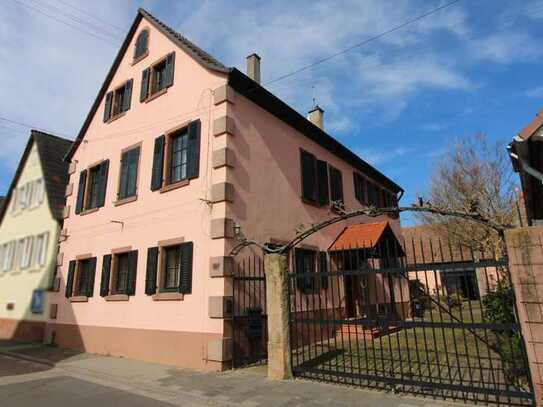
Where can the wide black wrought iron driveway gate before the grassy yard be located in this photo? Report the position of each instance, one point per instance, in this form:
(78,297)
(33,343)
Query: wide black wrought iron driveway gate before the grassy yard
(442,323)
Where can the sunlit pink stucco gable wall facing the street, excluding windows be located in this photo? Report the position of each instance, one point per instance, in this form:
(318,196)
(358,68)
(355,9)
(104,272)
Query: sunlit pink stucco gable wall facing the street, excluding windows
(153,216)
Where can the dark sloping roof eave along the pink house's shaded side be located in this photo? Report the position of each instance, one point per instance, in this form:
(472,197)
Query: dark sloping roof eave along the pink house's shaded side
(271,103)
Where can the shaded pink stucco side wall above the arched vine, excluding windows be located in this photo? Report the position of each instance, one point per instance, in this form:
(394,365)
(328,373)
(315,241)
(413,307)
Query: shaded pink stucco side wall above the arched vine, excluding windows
(267,179)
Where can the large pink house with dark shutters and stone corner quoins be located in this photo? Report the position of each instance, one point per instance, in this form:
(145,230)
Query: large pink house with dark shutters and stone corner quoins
(177,153)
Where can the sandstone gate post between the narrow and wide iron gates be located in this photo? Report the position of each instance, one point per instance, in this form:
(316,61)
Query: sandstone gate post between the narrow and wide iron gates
(277,304)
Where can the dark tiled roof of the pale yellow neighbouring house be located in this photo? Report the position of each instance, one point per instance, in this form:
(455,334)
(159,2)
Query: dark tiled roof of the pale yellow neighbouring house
(51,151)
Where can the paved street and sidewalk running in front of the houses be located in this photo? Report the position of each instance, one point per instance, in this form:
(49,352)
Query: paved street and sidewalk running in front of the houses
(53,377)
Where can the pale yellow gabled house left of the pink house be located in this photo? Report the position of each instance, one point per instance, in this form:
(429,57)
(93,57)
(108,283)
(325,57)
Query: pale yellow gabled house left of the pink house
(30,224)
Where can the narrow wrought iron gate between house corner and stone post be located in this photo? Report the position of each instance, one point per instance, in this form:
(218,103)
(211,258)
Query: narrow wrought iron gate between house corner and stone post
(249,319)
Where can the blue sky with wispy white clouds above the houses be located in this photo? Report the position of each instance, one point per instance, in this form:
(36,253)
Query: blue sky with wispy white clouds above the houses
(399,102)
